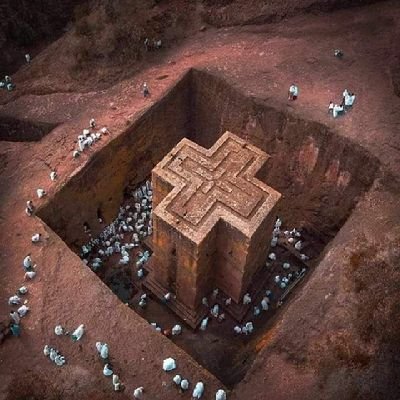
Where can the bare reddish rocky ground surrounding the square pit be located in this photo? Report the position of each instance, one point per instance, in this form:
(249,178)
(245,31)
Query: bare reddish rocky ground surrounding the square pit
(337,337)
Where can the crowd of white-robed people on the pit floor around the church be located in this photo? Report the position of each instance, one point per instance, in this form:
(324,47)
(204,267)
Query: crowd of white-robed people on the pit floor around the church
(133,224)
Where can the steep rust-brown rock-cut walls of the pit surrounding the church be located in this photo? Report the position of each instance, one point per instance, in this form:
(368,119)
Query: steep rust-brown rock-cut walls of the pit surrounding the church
(320,174)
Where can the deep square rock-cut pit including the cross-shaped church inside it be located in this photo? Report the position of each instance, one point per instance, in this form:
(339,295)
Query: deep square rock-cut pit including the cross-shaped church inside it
(306,176)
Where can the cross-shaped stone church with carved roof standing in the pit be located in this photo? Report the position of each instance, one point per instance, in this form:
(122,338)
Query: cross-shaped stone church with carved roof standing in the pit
(212,218)
